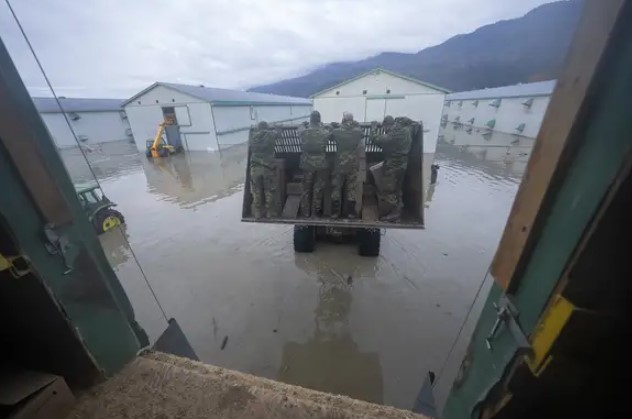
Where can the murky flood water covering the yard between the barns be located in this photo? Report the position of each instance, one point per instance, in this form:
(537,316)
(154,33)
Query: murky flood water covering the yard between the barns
(334,321)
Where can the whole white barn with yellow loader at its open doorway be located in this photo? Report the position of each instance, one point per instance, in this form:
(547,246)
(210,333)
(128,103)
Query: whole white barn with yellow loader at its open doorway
(208,118)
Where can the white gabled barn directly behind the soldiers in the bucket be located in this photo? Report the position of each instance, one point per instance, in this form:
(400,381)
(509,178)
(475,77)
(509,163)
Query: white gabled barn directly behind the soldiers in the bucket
(378,93)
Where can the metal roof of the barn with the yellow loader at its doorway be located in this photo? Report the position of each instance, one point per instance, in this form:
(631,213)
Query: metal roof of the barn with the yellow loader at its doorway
(225,96)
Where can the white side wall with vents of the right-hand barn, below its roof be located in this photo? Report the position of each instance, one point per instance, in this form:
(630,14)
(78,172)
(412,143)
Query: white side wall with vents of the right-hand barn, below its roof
(509,115)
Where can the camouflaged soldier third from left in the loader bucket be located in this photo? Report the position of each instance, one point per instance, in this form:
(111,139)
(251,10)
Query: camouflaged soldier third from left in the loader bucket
(347,137)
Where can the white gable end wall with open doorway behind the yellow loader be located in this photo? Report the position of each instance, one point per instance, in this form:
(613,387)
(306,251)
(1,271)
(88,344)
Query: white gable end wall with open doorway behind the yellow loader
(198,133)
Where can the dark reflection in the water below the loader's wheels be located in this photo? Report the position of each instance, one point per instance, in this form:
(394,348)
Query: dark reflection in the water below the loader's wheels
(331,360)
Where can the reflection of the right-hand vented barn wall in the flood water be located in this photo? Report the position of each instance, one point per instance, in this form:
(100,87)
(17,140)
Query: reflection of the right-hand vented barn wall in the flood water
(507,151)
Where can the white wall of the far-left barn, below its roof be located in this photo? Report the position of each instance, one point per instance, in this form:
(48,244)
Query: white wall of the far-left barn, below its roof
(91,127)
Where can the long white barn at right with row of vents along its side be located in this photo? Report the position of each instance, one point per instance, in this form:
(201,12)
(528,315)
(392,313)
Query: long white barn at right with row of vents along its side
(516,109)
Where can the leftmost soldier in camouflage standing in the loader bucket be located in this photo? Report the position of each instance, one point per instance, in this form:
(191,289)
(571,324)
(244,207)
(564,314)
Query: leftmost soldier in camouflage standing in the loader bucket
(263,182)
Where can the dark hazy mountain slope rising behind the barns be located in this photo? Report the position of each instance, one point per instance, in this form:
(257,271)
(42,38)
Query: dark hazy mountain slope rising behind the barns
(526,49)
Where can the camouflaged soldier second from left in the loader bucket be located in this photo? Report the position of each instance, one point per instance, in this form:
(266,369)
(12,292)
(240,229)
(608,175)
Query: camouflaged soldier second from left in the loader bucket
(314,139)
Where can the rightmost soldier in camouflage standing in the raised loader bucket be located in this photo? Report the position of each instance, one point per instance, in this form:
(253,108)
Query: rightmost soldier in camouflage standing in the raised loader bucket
(395,144)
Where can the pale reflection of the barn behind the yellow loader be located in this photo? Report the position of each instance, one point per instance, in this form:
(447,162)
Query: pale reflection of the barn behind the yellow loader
(195,178)
